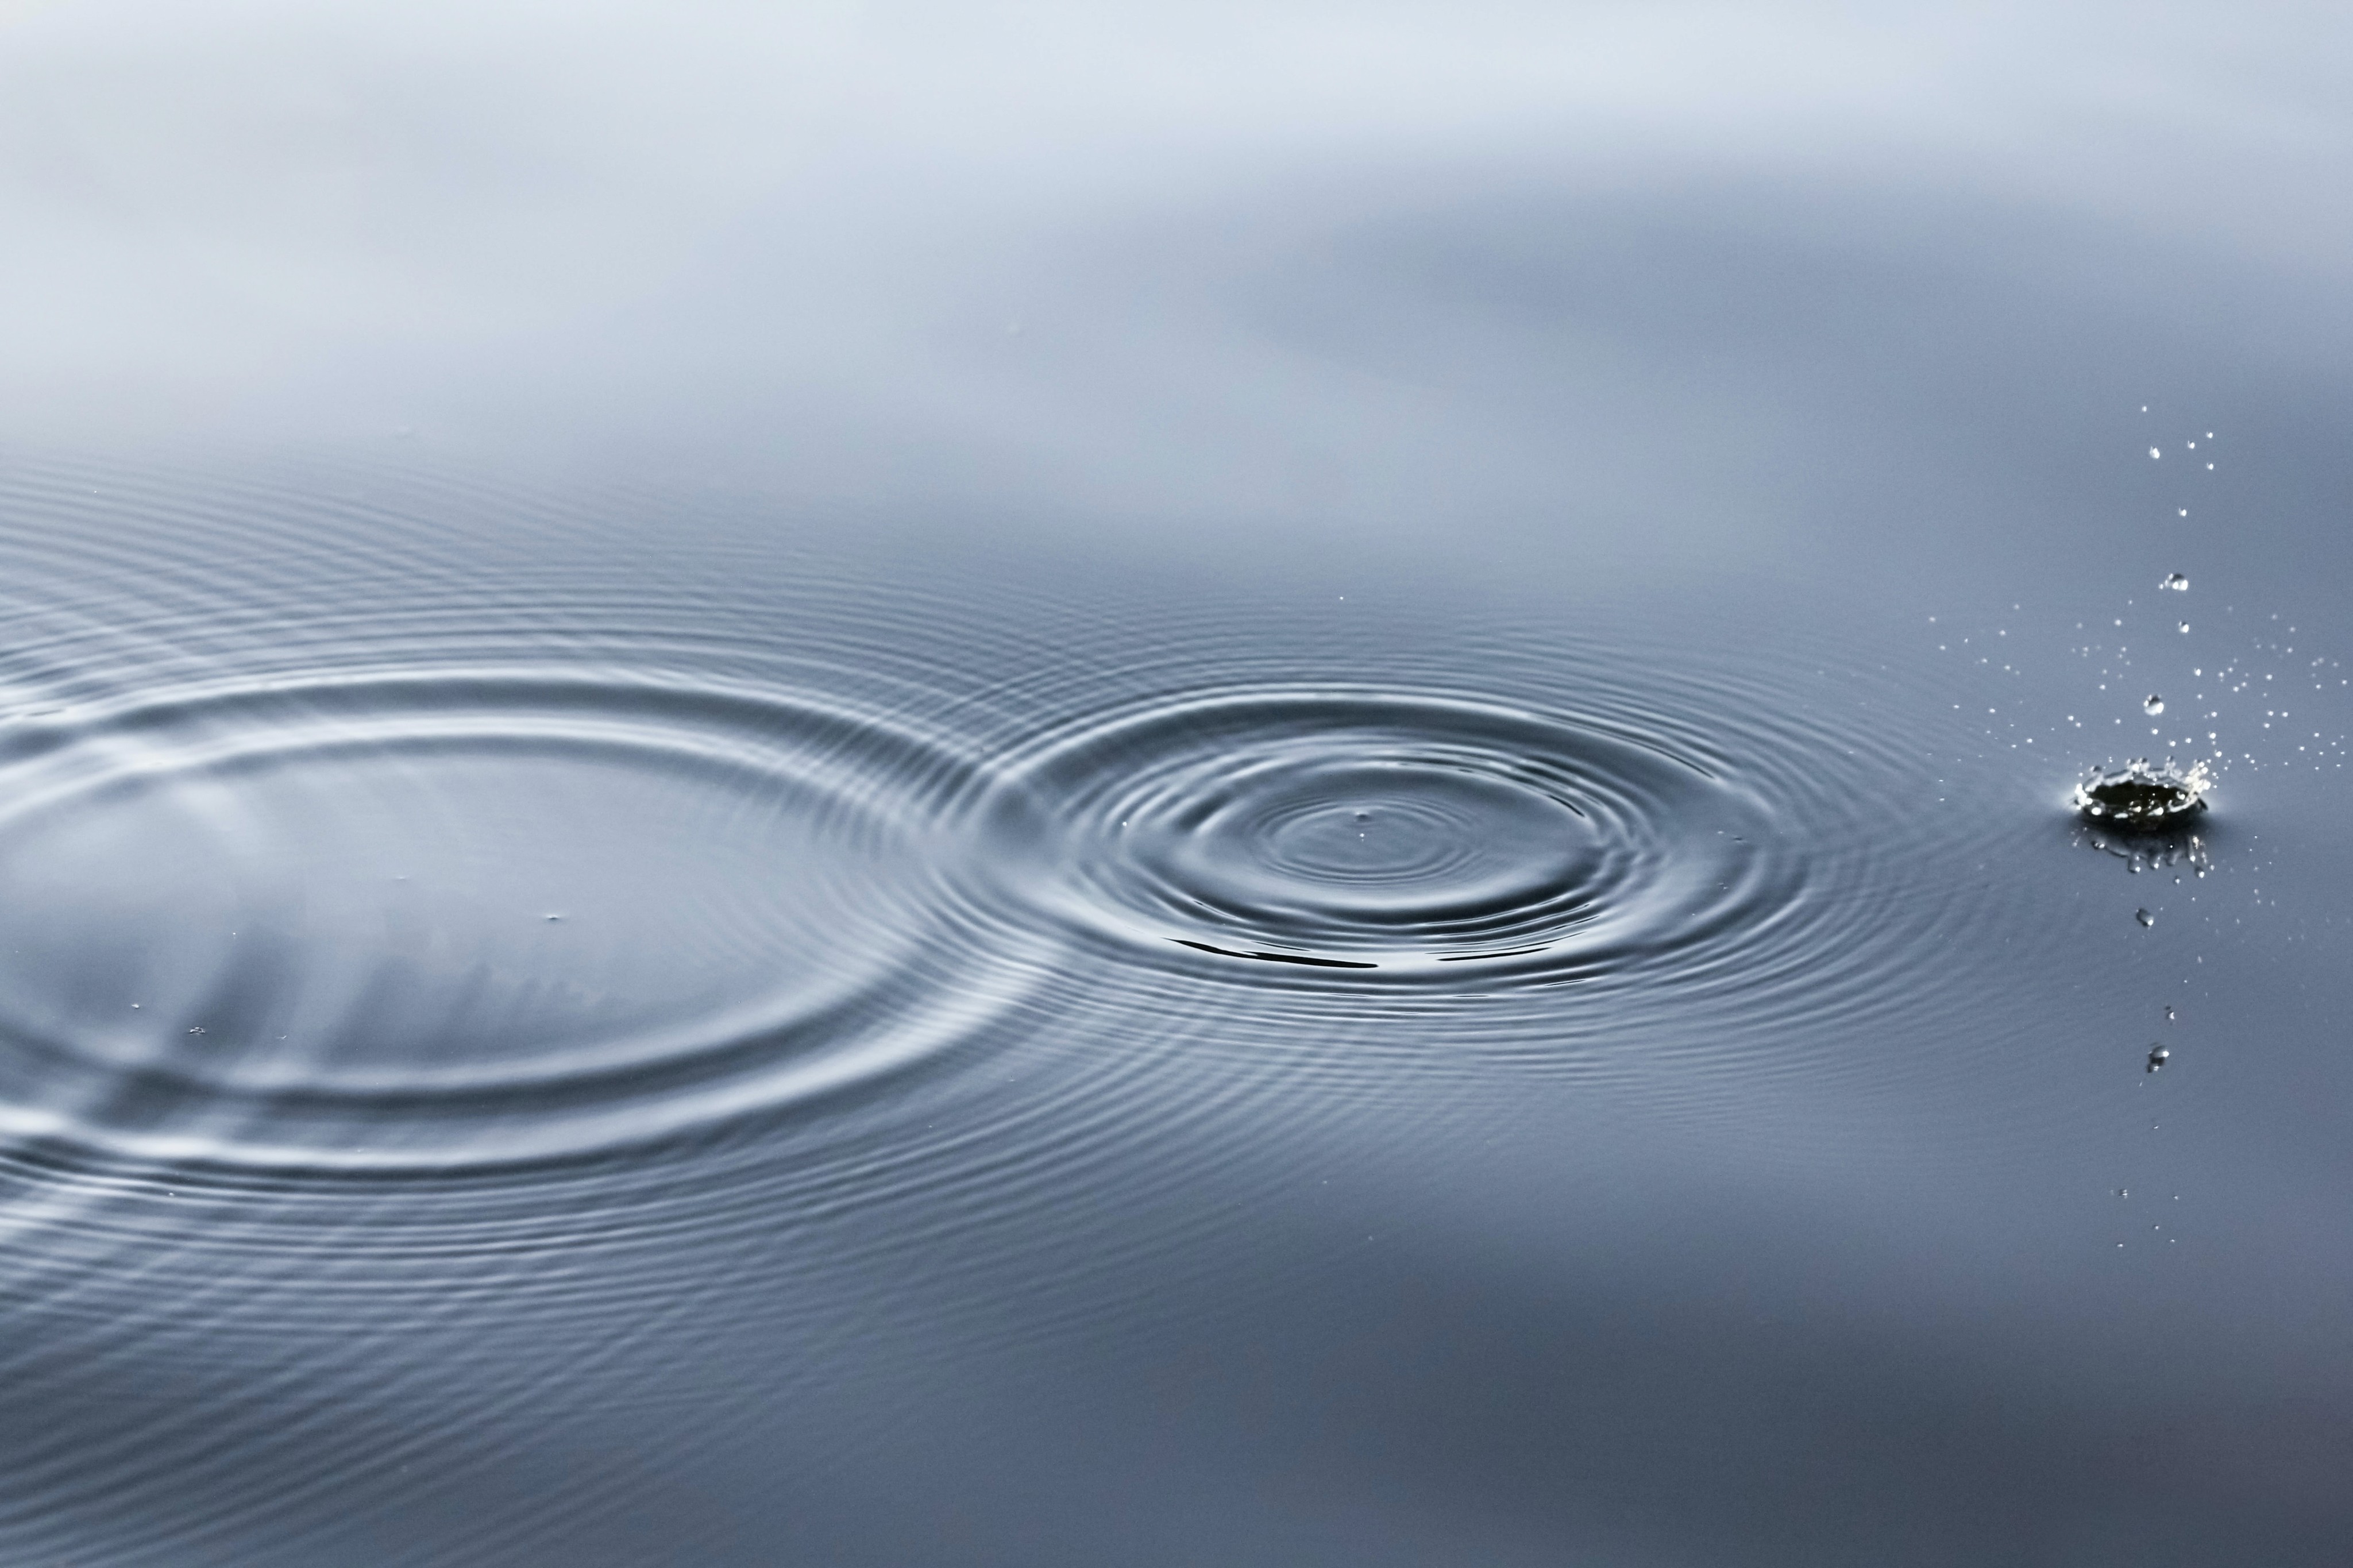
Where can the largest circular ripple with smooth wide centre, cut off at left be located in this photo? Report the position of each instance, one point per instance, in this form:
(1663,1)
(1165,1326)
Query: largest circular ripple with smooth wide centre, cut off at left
(429,920)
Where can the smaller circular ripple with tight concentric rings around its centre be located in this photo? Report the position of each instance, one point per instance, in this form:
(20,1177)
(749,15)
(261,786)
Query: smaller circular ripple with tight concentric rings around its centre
(1385,838)
